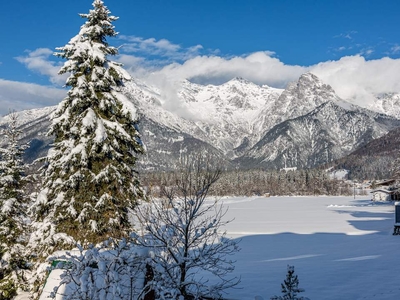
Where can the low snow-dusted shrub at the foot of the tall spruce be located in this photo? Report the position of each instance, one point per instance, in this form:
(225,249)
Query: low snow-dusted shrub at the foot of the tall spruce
(111,271)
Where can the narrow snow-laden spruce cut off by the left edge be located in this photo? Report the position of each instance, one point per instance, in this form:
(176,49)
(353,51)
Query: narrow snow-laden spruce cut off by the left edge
(13,207)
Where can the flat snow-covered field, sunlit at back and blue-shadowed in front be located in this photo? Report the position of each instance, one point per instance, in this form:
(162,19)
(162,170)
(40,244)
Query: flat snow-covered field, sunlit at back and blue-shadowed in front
(342,248)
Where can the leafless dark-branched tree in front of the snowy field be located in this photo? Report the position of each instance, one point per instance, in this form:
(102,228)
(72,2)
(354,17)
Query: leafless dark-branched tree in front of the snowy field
(190,256)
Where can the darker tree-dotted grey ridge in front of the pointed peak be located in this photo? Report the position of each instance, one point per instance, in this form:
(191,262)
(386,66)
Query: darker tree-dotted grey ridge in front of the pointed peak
(326,133)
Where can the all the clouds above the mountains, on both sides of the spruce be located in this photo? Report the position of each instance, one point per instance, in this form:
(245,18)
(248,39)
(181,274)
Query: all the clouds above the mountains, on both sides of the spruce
(353,77)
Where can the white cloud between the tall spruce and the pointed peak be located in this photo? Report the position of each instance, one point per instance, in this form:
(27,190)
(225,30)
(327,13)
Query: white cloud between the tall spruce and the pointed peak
(259,67)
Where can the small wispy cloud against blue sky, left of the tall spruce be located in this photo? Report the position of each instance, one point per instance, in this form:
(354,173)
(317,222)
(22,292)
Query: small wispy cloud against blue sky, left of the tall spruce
(39,61)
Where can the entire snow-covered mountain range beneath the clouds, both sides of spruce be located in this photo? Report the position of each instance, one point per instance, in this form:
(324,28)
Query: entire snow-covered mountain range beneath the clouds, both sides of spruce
(302,126)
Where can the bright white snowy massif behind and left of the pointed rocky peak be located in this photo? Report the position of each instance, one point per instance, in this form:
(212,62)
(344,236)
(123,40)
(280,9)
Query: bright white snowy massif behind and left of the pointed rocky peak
(220,115)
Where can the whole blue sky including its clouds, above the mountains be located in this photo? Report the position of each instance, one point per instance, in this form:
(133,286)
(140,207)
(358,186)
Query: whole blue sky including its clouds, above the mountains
(206,41)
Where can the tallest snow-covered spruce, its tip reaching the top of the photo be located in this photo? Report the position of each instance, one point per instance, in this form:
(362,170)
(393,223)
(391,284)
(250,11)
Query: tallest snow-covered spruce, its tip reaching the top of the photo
(90,185)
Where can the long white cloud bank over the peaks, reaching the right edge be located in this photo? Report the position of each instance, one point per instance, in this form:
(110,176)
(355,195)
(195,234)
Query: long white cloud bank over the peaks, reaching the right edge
(353,77)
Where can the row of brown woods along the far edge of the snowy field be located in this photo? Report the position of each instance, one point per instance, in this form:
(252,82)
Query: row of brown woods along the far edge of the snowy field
(260,182)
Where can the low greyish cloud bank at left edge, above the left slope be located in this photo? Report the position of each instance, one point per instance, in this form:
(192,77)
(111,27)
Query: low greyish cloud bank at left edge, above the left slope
(20,96)
